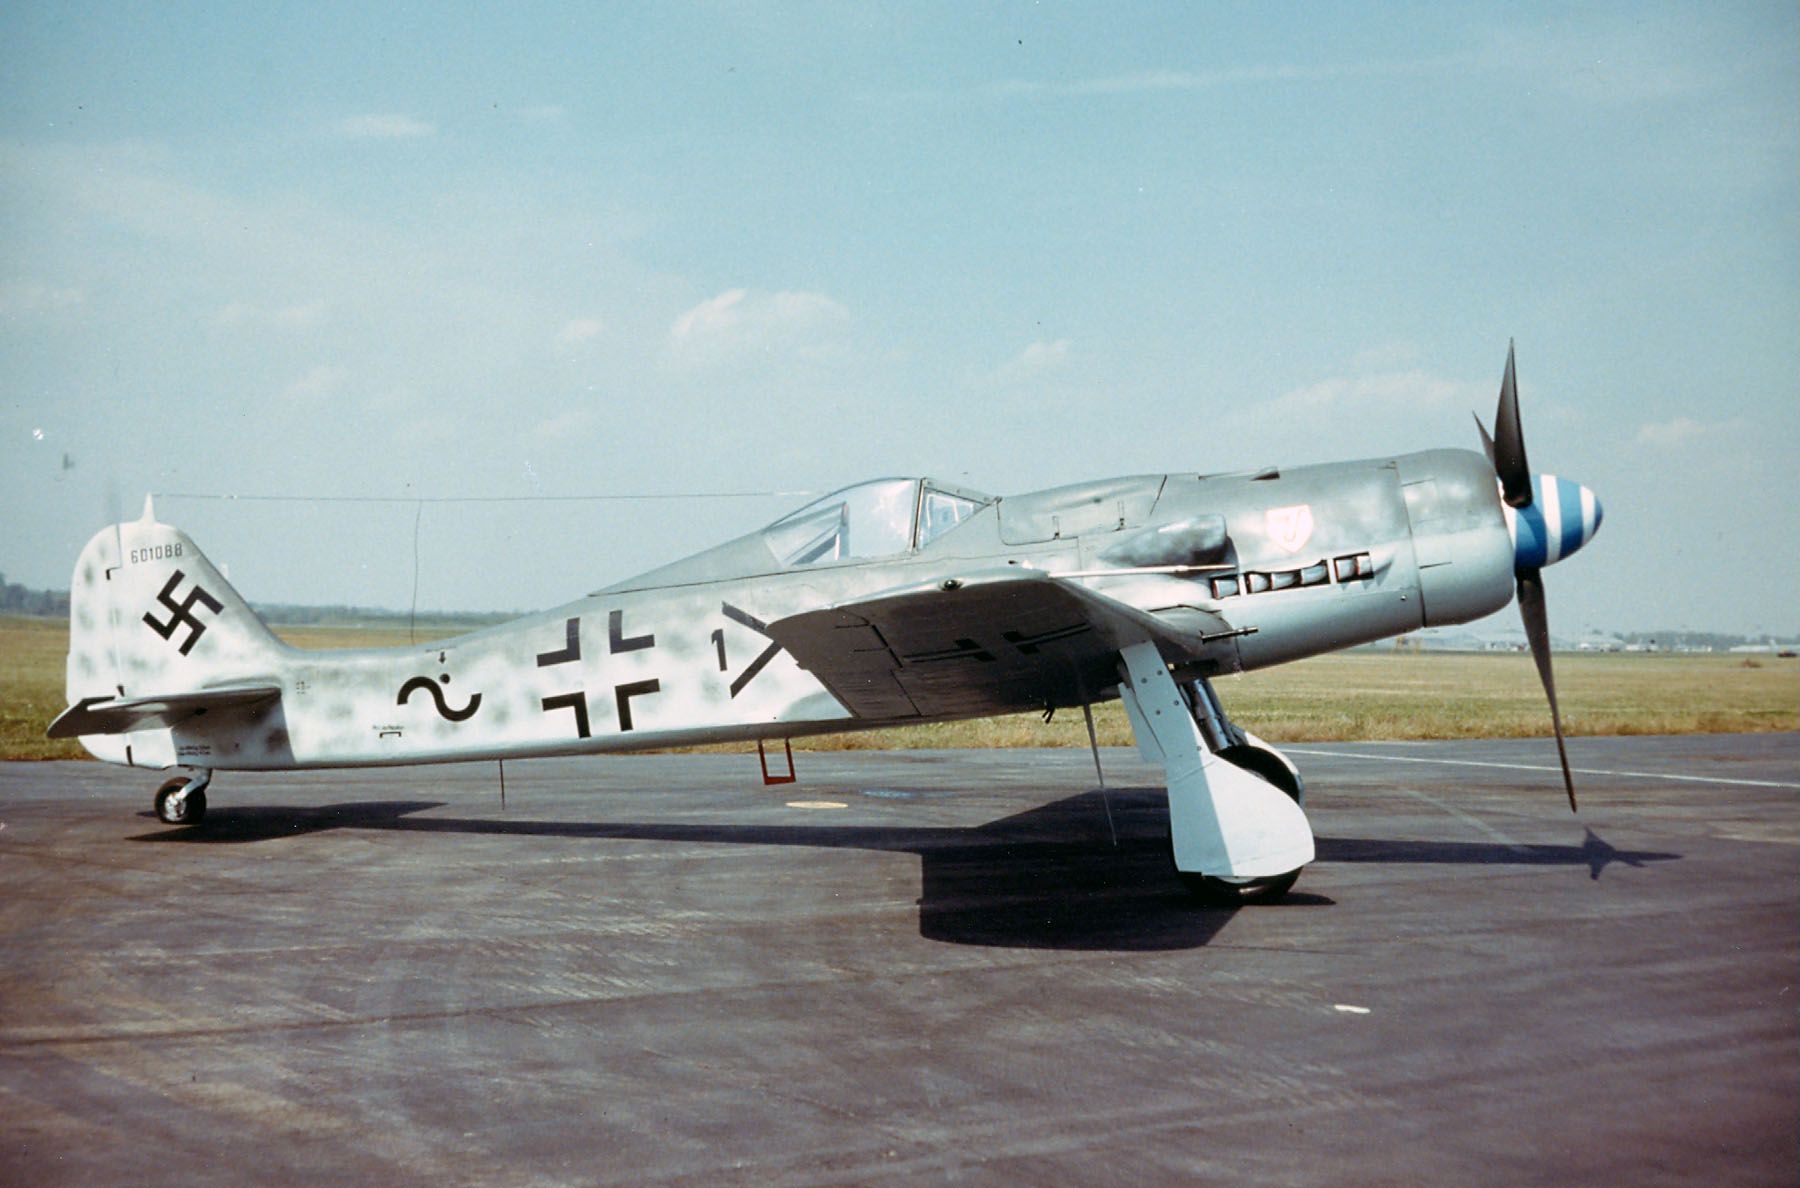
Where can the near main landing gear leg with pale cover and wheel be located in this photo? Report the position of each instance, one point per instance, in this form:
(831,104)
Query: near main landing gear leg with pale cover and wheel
(1237,832)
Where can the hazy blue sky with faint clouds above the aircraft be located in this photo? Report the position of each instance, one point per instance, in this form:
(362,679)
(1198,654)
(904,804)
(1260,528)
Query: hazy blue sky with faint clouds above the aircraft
(582,251)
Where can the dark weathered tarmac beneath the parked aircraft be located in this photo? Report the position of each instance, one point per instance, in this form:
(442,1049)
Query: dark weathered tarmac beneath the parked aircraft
(908,967)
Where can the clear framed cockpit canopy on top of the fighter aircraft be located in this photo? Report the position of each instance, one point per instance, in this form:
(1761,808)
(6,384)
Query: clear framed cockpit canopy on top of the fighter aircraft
(883,517)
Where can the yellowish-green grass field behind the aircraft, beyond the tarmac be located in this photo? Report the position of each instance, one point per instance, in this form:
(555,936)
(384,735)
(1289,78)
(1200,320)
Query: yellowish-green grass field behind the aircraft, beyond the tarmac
(1351,696)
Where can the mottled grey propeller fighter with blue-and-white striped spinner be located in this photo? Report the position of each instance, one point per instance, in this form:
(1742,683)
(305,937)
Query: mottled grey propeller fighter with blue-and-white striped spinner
(886,604)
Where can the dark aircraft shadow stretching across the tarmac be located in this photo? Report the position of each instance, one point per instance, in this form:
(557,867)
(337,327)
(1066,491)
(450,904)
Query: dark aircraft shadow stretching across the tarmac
(1086,874)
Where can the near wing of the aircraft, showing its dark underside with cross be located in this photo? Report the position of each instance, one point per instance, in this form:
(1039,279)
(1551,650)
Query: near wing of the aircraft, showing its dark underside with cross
(989,643)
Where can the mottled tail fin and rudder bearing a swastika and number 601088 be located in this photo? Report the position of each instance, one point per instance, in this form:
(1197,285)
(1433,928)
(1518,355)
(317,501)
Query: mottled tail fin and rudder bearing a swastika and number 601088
(152,618)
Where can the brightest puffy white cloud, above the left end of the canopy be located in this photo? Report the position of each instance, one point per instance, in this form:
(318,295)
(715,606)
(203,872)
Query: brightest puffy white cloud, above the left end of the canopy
(741,323)
